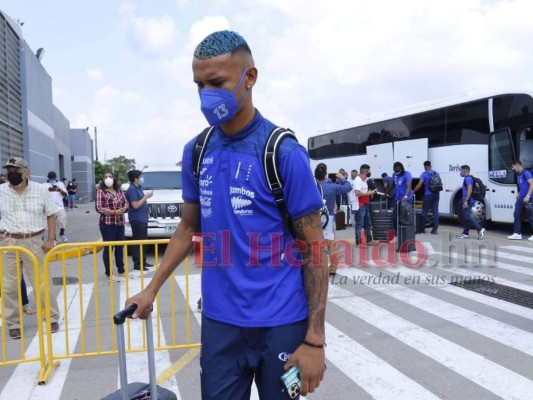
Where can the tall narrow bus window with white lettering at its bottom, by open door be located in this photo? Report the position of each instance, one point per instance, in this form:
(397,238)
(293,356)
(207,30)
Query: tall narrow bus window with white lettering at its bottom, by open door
(501,156)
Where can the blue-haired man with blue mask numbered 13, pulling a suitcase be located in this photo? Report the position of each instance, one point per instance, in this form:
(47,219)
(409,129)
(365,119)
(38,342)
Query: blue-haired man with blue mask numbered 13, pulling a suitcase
(263,302)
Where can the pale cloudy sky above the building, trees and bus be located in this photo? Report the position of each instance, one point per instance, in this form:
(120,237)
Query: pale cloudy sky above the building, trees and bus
(125,66)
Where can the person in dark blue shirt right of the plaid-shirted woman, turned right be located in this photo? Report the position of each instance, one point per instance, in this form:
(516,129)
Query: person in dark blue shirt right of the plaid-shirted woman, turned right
(138,217)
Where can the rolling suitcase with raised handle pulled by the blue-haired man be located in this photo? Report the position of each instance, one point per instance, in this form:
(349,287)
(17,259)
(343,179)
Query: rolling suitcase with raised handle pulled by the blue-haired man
(137,390)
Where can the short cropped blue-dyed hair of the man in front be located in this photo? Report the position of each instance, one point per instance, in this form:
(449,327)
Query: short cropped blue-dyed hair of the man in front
(219,43)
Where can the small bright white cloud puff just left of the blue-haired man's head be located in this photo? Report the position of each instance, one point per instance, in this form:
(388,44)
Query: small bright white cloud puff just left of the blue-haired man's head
(150,34)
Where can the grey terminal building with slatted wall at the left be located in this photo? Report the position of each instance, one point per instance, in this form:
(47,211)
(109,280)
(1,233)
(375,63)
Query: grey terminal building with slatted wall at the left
(31,126)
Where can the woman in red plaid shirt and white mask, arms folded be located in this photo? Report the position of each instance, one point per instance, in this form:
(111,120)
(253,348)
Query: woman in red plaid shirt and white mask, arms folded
(111,204)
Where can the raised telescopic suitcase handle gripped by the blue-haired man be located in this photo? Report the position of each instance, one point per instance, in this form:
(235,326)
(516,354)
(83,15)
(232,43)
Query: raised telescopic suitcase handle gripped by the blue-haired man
(119,319)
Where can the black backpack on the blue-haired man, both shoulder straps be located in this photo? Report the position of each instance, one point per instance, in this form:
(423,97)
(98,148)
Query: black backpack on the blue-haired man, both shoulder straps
(270,164)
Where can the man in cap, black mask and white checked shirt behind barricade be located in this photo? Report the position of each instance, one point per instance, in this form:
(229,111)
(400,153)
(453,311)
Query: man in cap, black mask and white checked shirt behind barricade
(27,209)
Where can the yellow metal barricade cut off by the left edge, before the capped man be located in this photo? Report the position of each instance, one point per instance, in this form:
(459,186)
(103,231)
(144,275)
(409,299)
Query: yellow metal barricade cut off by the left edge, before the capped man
(9,353)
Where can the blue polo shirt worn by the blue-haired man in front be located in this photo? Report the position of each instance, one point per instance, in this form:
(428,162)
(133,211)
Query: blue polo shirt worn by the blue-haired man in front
(250,278)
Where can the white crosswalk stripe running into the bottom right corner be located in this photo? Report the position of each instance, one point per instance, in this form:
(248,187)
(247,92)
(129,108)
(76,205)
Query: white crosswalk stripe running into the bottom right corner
(493,377)
